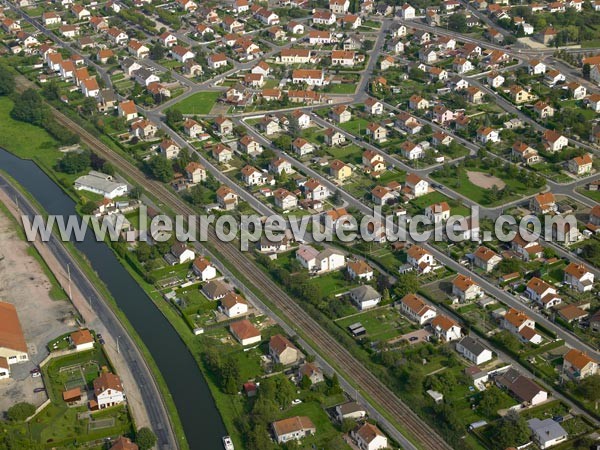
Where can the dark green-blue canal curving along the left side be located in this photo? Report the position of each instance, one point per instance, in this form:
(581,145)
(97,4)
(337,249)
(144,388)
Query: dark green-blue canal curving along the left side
(199,415)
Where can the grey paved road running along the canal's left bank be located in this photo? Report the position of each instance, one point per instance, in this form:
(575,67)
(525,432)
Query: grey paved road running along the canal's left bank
(151,395)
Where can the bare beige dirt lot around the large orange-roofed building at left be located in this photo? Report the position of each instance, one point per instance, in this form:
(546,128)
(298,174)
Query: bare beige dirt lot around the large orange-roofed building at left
(24,283)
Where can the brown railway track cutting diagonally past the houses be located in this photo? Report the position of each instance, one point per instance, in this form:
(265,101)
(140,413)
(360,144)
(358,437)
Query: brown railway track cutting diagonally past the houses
(335,352)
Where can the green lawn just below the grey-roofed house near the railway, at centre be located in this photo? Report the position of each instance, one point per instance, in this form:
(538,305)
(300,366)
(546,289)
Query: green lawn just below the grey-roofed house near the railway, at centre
(381,324)
